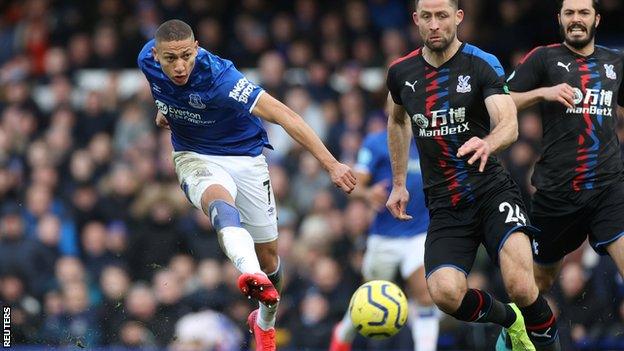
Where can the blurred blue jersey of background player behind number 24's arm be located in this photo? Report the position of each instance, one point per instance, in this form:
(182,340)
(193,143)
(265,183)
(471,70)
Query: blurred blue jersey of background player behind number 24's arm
(374,159)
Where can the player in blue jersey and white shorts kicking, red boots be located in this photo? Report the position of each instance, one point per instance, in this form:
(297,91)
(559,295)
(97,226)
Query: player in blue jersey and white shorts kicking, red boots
(214,113)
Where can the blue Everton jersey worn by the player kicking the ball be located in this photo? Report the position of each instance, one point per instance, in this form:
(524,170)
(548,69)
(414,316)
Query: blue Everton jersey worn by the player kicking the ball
(211,113)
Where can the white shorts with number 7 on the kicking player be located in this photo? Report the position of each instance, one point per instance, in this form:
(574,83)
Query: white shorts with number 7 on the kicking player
(246,178)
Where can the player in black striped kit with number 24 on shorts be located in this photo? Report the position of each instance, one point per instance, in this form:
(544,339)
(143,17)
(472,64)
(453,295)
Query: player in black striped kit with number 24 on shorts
(449,90)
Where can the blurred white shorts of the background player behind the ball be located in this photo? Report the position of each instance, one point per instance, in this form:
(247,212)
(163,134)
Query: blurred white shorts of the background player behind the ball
(385,255)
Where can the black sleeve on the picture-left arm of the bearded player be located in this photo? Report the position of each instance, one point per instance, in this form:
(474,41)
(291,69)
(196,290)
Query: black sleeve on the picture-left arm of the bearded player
(529,73)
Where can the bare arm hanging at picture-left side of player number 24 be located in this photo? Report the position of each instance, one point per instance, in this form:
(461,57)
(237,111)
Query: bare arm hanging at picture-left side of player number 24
(399,134)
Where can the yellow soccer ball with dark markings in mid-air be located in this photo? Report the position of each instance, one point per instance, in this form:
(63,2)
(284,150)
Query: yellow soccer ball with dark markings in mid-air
(378,309)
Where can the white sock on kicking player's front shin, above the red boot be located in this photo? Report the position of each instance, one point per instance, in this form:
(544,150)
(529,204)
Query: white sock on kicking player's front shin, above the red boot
(238,245)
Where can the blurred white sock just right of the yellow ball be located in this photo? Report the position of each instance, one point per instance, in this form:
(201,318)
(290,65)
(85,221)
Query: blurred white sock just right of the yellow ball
(425,324)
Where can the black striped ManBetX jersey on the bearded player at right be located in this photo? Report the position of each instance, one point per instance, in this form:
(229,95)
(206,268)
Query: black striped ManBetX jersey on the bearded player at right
(580,148)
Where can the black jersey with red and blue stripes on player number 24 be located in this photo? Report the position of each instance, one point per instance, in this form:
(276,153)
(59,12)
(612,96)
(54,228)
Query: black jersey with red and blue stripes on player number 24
(446,108)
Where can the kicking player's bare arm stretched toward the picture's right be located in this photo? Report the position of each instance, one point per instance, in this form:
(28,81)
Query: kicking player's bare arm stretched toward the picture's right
(272,110)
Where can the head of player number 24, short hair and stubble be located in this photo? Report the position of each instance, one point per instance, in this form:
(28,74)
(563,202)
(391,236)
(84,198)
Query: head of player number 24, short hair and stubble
(437,22)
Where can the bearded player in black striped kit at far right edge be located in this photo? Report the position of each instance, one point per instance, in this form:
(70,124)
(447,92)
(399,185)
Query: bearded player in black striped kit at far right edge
(579,177)
